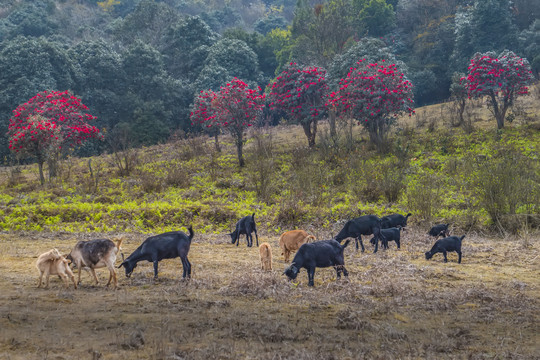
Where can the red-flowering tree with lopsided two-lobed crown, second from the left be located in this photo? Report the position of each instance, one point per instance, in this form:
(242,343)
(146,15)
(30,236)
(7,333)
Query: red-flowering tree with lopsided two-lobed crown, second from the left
(234,108)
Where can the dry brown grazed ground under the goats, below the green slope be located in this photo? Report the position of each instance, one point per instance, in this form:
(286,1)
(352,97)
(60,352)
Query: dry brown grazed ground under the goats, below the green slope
(394,305)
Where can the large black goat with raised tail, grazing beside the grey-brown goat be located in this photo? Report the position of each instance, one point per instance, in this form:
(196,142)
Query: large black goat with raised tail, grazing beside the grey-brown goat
(168,245)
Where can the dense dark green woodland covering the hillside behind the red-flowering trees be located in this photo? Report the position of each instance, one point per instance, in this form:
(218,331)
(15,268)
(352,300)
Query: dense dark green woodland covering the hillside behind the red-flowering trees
(138,64)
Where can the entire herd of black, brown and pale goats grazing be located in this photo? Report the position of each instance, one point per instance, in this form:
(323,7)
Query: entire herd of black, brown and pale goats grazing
(310,254)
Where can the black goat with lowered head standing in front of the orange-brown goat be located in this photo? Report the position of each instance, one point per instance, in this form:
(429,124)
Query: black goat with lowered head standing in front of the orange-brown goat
(324,253)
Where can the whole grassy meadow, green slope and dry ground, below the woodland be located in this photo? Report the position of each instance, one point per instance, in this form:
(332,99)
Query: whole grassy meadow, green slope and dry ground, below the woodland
(394,305)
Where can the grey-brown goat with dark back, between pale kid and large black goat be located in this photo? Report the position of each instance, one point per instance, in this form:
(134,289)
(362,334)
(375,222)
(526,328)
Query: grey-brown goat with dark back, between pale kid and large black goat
(95,254)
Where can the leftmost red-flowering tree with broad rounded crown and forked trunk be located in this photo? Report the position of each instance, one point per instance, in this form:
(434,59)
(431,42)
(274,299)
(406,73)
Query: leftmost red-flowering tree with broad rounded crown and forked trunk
(46,123)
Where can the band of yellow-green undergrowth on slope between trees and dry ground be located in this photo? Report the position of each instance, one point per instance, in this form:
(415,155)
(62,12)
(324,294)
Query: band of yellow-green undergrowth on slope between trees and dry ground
(438,176)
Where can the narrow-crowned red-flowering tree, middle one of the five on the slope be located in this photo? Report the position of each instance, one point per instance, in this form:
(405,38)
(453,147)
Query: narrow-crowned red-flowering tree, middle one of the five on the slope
(300,92)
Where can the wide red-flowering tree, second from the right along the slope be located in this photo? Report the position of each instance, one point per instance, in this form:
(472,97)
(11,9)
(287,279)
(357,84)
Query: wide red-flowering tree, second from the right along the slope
(375,95)
